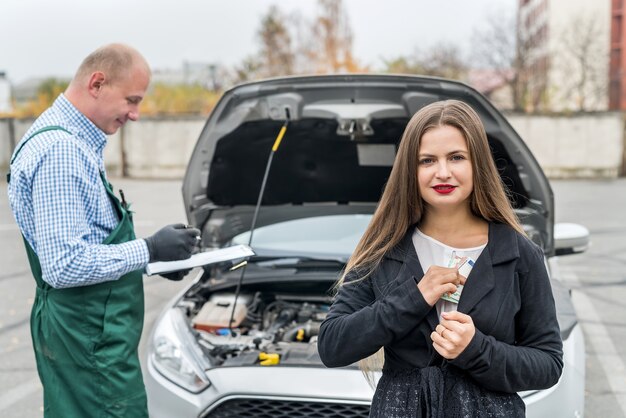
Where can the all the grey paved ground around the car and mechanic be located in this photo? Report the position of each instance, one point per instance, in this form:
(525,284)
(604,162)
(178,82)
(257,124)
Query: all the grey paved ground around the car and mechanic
(597,277)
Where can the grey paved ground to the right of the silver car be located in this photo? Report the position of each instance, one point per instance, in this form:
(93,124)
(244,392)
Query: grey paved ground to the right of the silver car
(598,279)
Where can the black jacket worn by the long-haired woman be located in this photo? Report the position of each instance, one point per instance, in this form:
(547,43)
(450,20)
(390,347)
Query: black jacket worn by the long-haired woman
(517,345)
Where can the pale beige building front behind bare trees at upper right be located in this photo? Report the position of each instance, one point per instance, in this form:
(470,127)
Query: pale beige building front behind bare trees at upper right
(564,48)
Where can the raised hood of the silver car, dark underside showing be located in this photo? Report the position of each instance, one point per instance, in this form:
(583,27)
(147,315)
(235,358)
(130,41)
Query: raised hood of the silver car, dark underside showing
(337,152)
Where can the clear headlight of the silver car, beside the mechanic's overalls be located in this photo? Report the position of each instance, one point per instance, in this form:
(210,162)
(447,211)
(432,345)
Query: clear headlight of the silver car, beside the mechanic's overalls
(176,355)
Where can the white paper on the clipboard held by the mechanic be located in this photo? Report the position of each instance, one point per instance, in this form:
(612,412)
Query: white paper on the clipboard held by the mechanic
(201,259)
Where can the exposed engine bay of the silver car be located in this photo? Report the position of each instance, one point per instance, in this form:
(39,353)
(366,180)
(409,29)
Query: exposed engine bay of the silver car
(267,328)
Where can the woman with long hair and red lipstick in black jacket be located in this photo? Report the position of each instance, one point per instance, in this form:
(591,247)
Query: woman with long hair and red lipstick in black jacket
(444,211)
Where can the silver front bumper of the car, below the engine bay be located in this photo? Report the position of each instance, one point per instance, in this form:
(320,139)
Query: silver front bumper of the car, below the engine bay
(343,387)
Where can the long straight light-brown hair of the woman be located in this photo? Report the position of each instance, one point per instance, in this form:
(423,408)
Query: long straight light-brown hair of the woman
(401,204)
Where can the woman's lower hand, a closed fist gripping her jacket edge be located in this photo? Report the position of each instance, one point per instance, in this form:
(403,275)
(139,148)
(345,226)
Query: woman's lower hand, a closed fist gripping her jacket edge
(453,334)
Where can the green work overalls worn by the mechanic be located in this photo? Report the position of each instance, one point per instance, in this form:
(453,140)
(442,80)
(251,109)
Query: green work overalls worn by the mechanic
(86,338)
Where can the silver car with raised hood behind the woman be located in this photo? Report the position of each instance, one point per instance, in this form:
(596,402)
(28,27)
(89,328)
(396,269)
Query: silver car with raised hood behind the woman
(240,341)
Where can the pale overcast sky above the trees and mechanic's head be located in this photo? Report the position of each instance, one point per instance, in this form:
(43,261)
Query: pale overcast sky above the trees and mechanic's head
(49,38)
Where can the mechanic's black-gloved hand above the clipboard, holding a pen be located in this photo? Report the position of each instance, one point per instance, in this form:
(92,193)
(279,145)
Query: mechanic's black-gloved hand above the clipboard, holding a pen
(173,242)
